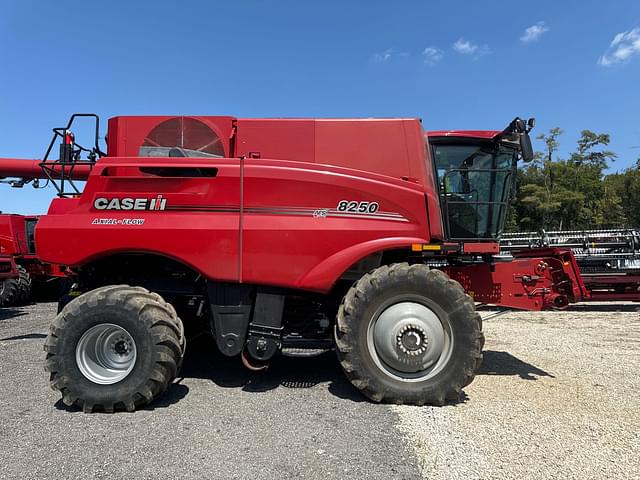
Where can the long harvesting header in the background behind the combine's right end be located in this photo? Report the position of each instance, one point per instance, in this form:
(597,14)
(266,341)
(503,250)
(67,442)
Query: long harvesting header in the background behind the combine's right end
(609,260)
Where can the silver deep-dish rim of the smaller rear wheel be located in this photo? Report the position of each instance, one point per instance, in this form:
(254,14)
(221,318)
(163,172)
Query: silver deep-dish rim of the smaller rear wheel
(106,354)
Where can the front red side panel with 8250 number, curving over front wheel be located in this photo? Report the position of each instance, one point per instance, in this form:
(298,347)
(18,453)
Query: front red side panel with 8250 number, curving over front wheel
(290,211)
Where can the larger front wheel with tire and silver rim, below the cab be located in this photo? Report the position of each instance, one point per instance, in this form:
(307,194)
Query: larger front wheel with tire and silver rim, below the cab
(409,334)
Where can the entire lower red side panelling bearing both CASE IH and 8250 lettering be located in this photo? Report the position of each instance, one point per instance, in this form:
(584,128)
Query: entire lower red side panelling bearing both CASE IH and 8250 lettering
(289,211)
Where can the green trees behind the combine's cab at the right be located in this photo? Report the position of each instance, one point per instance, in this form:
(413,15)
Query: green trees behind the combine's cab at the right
(576,192)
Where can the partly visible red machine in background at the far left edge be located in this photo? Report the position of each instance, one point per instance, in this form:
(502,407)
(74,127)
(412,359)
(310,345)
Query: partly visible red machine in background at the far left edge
(17,242)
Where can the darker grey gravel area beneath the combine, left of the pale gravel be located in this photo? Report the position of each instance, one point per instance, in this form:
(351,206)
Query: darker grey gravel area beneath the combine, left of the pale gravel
(301,419)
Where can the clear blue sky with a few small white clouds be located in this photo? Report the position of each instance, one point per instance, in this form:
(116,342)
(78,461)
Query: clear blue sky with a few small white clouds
(454,64)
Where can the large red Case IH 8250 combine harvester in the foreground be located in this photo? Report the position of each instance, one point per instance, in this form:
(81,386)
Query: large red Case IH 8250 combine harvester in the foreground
(283,235)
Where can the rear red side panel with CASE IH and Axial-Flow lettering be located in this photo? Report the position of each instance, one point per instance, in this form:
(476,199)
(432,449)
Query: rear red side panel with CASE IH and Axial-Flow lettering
(199,226)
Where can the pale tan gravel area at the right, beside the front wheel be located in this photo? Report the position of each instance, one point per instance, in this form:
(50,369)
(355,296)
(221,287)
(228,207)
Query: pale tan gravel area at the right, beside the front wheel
(557,397)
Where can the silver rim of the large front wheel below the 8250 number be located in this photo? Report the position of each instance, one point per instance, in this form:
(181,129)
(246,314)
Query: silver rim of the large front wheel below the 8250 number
(409,341)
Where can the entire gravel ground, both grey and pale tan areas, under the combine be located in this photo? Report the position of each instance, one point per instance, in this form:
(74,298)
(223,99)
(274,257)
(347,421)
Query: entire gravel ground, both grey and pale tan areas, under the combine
(557,397)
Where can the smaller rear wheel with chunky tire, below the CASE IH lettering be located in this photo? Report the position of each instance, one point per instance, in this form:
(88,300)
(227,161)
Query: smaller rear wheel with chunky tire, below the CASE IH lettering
(114,348)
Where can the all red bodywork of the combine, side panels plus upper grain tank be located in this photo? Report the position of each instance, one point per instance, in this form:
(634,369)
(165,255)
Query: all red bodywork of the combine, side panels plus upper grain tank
(277,200)
